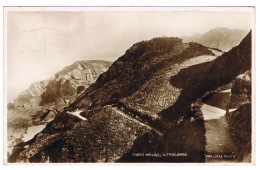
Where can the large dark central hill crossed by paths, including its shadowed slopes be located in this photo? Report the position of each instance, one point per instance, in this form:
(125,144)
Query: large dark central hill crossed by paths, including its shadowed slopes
(140,109)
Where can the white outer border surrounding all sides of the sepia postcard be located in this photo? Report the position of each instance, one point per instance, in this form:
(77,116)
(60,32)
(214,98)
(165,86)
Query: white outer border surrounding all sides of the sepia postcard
(134,3)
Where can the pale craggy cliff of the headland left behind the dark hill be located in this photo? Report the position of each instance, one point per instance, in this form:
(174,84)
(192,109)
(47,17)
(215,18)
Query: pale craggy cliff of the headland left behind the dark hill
(64,86)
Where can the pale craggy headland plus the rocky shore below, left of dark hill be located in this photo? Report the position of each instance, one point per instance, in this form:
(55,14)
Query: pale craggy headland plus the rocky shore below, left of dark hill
(39,104)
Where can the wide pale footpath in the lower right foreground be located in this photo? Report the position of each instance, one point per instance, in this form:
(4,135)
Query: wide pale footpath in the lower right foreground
(220,145)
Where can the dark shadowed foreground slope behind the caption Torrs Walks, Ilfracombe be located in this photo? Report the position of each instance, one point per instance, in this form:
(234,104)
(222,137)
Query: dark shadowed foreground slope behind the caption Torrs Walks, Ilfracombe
(184,143)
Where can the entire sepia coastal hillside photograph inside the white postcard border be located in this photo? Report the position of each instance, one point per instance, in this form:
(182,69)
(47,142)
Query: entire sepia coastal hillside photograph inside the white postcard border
(129,85)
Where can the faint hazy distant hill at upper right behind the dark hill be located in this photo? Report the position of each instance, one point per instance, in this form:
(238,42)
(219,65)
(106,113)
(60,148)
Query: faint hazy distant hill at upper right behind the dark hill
(220,38)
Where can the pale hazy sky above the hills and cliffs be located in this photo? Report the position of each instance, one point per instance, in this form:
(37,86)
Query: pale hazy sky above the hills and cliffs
(41,42)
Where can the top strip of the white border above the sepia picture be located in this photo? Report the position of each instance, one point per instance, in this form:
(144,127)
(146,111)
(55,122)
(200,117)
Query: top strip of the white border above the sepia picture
(130,3)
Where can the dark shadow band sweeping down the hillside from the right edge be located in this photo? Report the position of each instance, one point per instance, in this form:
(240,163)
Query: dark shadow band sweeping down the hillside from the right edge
(198,79)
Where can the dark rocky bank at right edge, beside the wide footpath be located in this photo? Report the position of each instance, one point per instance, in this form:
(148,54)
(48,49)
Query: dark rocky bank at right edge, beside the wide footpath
(239,115)
